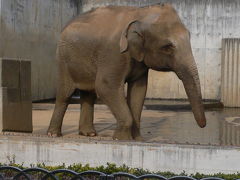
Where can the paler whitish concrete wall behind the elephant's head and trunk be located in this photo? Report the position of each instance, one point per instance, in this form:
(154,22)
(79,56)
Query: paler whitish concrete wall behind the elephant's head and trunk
(209,22)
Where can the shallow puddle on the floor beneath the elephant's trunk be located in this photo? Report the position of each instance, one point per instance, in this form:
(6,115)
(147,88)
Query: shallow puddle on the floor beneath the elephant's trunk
(223,128)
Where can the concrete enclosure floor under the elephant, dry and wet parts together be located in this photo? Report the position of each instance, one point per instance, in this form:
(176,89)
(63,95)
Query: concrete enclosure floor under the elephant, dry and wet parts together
(162,121)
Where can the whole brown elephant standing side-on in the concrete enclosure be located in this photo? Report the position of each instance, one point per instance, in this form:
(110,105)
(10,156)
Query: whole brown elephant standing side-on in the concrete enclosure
(101,50)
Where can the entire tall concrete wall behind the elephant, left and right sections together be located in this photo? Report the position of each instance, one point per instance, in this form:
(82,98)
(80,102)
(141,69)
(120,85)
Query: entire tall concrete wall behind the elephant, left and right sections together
(30,29)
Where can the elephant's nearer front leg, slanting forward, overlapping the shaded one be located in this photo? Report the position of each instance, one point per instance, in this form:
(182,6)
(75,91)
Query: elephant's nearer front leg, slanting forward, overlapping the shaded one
(114,97)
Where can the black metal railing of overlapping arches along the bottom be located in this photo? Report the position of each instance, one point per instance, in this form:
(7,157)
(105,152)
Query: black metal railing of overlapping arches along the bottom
(14,173)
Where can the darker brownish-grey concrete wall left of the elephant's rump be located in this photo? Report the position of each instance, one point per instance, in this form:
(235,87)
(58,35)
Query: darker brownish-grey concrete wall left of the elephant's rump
(29,29)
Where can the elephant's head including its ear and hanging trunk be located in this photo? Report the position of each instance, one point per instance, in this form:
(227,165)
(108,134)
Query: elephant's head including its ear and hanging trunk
(162,42)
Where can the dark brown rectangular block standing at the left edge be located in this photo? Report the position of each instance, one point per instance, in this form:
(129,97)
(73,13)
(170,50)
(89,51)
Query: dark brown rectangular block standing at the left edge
(15,96)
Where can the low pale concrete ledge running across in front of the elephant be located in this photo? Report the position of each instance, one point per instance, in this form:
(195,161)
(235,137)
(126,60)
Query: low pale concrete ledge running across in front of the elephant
(152,156)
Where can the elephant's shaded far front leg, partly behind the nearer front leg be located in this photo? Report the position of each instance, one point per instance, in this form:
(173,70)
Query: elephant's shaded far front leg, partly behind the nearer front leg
(135,99)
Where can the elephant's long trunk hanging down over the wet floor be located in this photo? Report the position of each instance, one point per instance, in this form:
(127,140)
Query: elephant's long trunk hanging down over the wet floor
(191,82)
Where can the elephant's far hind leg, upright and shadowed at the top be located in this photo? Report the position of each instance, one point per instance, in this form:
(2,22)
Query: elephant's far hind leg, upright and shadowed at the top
(87,112)
